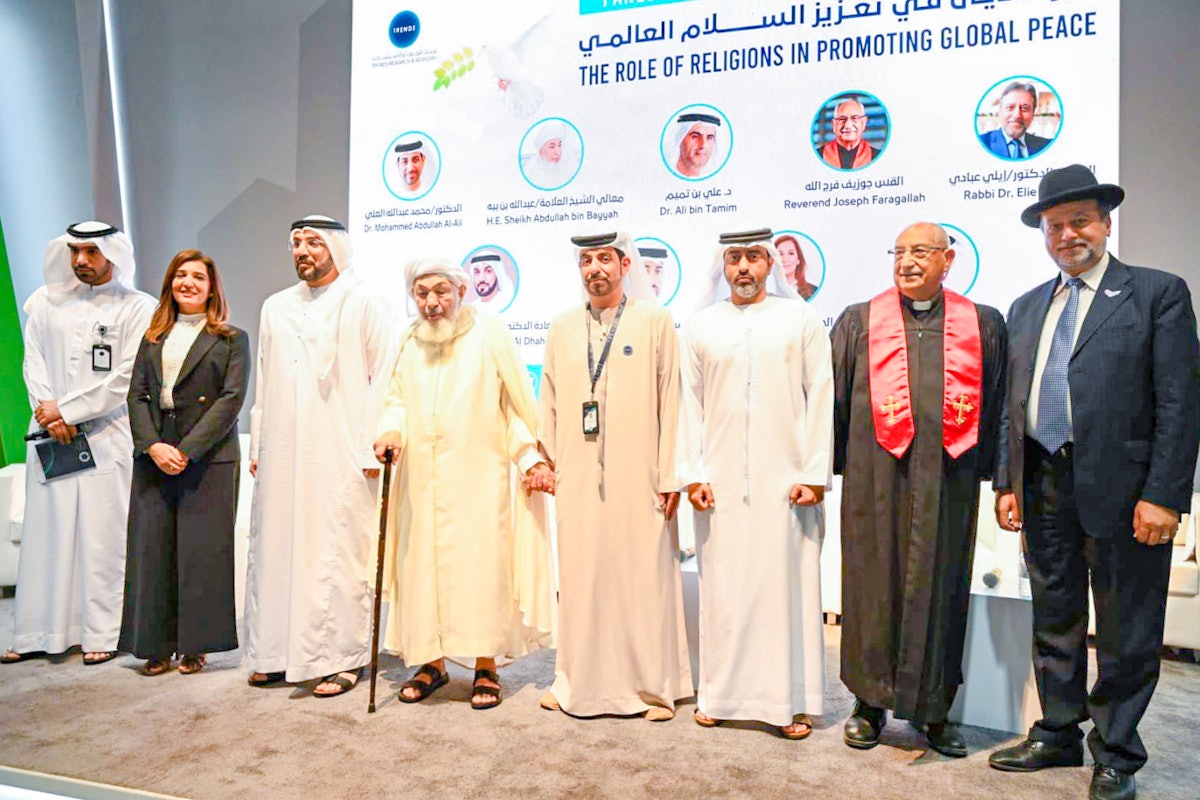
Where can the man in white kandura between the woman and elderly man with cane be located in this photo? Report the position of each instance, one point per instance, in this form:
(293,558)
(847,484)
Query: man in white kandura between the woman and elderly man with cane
(323,368)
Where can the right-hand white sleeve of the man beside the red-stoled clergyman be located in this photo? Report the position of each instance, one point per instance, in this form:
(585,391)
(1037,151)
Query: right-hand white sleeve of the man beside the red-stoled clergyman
(817,428)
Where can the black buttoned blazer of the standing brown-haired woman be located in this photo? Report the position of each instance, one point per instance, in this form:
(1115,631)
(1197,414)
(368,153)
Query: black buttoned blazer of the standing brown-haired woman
(208,394)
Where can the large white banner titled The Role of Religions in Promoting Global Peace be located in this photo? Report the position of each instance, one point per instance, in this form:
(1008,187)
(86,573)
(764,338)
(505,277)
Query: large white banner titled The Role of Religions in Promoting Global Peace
(491,133)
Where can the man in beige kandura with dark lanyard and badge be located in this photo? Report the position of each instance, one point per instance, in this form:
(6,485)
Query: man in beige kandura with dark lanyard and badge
(610,396)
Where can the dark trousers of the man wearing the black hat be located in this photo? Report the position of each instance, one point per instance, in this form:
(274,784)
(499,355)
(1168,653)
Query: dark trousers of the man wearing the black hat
(1130,587)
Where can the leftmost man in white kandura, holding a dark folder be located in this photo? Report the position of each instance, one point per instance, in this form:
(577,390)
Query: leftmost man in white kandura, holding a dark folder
(81,338)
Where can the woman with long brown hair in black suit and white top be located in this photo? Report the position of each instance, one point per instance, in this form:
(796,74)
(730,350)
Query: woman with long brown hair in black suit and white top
(189,384)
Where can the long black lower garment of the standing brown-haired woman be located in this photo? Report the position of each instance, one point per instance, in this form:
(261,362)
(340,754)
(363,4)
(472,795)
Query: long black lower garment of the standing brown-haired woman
(179,572)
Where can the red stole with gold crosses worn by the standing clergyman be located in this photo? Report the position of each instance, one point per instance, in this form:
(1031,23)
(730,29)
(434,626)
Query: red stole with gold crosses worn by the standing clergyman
(963,383)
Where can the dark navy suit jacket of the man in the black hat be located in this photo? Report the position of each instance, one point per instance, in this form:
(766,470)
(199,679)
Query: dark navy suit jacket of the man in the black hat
(1135,396)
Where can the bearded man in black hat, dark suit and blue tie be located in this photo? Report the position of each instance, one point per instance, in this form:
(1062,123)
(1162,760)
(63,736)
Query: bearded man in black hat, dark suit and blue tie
(1102,441)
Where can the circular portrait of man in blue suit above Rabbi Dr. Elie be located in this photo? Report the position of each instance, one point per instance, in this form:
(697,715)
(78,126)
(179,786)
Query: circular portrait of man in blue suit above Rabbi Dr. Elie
(1018,118)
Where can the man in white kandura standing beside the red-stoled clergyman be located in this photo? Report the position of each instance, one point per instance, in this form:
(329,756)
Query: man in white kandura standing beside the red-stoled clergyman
(757,437)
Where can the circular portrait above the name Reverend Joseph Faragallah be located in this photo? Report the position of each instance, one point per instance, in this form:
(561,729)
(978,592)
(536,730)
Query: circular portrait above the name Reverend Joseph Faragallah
(851,130)
